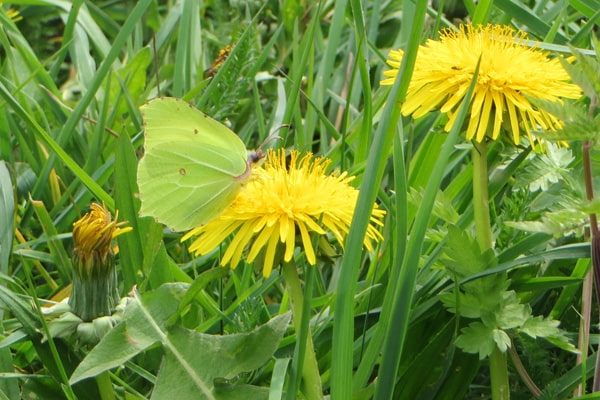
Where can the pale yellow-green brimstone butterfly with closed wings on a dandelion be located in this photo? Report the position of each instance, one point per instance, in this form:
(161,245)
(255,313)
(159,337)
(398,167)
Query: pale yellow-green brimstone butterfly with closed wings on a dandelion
(193,166)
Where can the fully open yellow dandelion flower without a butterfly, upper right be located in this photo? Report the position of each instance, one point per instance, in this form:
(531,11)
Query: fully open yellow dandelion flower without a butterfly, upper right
(509,73)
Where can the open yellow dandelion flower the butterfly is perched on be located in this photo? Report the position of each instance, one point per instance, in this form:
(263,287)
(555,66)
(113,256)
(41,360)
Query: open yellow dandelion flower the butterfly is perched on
(279,202)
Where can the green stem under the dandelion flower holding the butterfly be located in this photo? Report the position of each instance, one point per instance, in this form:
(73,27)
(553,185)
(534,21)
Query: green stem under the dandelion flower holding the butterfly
(311,380)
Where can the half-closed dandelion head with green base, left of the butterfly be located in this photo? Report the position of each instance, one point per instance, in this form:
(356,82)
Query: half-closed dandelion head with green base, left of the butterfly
(95,291)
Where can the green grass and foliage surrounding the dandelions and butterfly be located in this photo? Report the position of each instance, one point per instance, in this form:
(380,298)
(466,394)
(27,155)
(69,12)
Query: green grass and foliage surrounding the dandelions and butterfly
(73,75)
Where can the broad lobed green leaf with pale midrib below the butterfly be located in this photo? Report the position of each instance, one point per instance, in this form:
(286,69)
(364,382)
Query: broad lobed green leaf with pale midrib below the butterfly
(145,323)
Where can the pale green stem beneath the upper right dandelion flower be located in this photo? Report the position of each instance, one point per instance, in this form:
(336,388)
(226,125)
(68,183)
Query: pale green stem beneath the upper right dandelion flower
(483,233)
